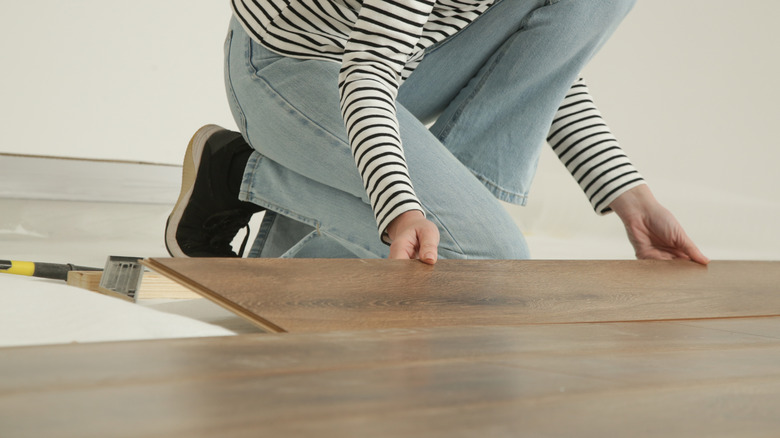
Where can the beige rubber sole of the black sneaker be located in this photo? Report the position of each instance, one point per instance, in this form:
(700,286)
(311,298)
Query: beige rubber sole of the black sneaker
(188,175)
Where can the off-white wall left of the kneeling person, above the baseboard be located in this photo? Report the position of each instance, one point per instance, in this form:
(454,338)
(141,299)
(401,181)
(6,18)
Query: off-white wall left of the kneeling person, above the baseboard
(109,79)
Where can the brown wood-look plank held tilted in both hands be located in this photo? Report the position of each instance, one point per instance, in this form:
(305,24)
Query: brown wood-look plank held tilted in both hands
(318,295)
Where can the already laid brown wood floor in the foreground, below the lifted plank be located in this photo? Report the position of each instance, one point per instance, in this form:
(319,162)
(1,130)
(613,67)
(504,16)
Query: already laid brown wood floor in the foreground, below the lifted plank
(715,378)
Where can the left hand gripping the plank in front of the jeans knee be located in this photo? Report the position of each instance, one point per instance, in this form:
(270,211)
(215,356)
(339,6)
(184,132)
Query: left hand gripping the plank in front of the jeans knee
(412,236)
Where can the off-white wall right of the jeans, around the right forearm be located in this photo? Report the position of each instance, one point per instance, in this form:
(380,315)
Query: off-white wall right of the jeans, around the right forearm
(690,90)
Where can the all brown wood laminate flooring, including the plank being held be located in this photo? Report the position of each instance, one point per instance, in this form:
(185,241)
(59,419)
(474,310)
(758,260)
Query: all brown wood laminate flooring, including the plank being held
(464,349)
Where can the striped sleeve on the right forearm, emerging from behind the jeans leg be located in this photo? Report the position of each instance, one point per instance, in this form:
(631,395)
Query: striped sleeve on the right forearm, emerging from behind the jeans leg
(589,150)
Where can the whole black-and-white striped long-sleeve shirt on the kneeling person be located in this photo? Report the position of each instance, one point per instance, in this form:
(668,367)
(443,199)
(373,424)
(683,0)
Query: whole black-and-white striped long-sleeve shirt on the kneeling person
(378,44)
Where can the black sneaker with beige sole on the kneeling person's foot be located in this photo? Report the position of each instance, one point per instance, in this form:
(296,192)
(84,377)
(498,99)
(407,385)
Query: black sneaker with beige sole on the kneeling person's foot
(208,214)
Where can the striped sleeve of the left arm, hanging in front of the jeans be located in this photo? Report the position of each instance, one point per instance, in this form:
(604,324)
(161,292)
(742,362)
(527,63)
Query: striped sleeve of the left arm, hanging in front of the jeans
(379,45)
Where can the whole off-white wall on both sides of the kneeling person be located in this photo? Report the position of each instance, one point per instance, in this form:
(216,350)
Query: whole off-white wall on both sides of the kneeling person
(688,87)
